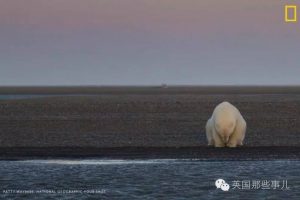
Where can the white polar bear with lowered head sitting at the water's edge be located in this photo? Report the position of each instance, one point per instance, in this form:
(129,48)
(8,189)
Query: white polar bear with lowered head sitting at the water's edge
(226,127)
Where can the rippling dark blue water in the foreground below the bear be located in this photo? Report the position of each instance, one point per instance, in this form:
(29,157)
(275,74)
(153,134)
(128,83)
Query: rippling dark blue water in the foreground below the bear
(145,179)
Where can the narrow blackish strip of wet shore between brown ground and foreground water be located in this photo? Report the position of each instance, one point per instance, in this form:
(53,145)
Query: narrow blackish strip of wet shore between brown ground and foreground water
(201,153)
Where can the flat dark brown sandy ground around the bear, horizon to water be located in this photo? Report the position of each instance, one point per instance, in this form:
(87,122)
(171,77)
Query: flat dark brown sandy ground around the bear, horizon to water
(145,119)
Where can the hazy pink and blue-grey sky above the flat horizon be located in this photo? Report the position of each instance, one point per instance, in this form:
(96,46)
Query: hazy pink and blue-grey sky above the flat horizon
(148,42)
